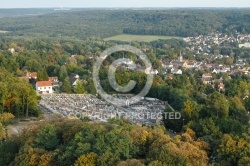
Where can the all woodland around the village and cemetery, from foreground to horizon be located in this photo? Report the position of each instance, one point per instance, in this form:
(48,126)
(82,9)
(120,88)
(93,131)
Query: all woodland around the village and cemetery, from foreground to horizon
(214,127)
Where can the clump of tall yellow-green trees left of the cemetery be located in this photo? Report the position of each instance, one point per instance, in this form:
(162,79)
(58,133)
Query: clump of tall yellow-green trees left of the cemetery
(17,96)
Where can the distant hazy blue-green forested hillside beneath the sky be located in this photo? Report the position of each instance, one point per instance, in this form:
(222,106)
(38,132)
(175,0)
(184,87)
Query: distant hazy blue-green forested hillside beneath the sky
(106,23)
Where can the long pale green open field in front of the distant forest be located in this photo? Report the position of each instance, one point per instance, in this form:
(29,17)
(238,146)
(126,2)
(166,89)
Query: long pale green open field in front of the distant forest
(140,38)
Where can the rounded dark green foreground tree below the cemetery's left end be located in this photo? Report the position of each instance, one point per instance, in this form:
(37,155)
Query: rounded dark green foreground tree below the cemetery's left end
(47,138)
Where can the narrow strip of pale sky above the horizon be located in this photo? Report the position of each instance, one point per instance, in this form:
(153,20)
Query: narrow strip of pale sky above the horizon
(122,3)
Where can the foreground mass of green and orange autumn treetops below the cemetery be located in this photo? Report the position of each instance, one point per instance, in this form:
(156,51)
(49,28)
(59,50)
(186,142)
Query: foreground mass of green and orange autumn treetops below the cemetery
(73,142)
